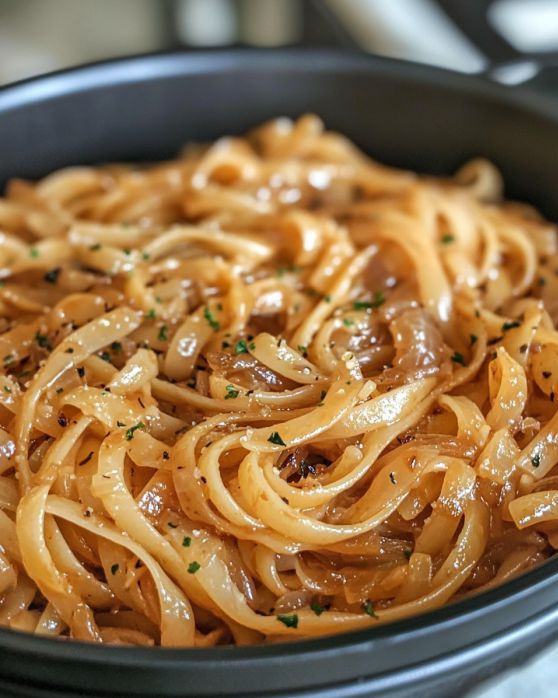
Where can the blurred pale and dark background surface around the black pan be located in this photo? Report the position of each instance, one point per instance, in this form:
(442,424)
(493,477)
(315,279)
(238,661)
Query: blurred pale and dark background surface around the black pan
(38,36)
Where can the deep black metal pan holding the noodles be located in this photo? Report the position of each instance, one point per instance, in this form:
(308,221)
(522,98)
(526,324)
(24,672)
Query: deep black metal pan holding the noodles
(403,114)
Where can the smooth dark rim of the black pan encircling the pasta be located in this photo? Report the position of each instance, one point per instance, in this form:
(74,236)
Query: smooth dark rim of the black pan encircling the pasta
(150,67)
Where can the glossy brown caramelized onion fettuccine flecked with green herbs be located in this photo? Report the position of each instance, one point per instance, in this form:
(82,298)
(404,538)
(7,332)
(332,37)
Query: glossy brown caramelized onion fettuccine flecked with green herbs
(270,390)
